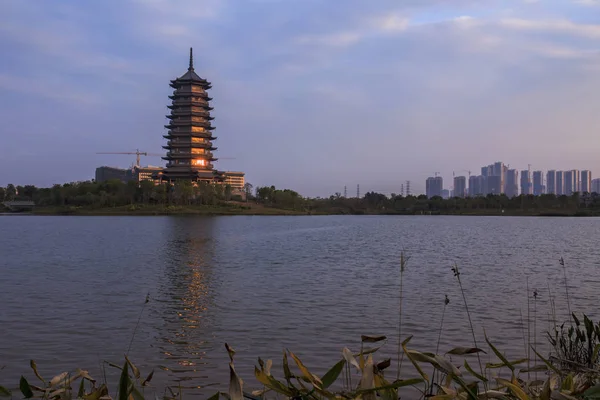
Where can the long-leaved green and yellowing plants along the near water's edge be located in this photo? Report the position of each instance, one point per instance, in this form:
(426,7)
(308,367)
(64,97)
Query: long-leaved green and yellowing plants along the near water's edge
(571,370)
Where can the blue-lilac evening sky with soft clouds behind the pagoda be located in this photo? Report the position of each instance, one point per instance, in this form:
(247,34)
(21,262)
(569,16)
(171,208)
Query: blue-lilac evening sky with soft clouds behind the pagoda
(311,95)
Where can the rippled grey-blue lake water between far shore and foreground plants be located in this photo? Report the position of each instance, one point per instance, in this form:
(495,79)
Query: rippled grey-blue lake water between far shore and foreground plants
(72,288)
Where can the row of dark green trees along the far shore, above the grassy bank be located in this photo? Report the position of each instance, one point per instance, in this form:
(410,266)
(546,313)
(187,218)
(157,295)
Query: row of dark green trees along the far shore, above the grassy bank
(116,193)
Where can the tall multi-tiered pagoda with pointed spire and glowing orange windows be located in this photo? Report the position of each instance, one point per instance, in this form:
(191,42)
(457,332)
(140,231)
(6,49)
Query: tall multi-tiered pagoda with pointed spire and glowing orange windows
(189,139)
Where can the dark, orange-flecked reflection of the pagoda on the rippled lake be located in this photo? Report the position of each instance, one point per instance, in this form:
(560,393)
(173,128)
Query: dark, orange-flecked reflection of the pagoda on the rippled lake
(185,300)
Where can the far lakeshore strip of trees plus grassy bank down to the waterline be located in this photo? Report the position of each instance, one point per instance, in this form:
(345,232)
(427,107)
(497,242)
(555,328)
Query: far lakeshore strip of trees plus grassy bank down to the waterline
(145,198)
